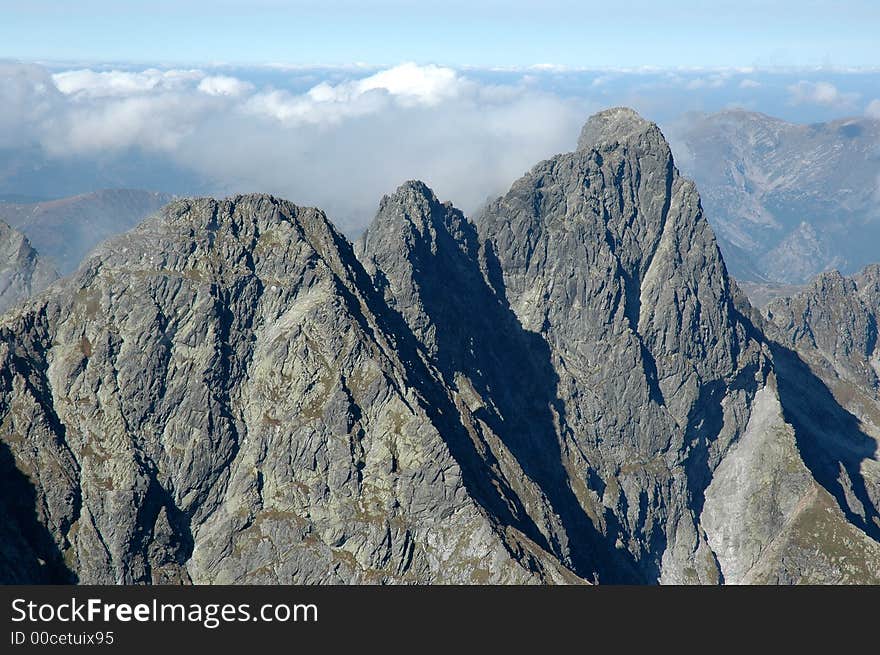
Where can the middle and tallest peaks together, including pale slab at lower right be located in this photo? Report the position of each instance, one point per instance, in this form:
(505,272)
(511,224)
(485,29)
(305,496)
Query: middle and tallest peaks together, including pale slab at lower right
(614,366)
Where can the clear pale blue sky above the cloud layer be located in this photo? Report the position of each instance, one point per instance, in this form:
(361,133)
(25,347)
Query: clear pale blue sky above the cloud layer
(478,33)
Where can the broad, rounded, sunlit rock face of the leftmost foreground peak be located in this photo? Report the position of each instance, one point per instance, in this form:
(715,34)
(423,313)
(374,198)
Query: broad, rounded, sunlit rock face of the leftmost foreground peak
(212,398)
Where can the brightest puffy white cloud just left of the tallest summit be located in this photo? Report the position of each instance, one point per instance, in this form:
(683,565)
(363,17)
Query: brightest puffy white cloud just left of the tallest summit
(342,146)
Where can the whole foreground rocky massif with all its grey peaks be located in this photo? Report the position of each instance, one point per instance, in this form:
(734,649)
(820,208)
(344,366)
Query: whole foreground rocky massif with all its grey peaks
(567,388)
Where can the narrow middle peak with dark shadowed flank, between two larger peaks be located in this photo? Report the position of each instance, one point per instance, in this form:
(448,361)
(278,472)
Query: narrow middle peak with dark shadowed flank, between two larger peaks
(432,268)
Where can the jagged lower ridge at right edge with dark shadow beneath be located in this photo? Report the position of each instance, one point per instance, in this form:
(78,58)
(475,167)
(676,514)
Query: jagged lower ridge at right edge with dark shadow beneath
(832,324)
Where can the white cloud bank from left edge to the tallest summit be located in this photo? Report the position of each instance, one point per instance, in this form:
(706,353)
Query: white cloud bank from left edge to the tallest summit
(339,146)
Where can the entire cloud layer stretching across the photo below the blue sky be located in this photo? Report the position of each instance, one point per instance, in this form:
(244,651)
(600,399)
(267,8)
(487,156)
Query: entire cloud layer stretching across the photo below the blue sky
(340,138)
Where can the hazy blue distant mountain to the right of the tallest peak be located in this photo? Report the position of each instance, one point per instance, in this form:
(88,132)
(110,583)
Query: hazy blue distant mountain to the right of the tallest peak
(788,201)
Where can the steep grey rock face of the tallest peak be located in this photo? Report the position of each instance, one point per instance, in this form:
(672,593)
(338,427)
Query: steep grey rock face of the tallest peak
(605,253)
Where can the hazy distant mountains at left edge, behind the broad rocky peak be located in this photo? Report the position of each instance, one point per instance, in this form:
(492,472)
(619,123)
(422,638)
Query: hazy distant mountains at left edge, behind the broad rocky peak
(64,231)
